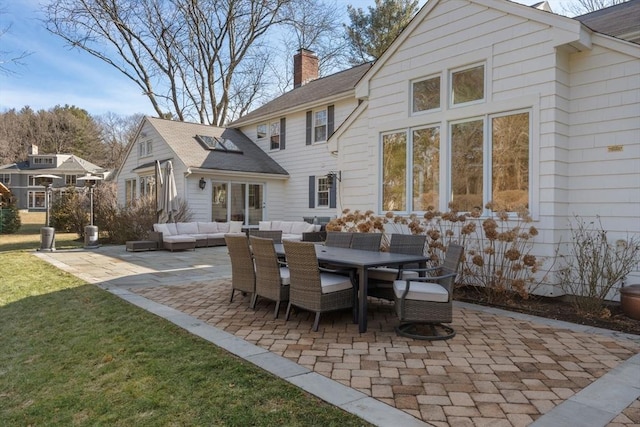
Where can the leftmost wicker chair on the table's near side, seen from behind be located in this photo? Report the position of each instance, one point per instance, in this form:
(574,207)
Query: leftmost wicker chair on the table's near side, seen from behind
(243,276)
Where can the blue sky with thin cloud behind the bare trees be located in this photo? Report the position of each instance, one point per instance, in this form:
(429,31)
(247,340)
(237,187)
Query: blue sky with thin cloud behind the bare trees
(56,75)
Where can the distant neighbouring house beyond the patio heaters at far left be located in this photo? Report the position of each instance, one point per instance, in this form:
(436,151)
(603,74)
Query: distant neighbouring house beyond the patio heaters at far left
(29,191)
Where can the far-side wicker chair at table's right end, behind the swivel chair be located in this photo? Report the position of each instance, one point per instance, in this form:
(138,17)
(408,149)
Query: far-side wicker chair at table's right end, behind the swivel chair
(380,279)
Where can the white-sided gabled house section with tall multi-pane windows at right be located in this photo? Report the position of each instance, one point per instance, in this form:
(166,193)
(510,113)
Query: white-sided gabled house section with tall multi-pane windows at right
(489,100)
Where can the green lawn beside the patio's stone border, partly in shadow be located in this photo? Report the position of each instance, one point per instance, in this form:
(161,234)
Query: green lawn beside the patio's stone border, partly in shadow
(73,354)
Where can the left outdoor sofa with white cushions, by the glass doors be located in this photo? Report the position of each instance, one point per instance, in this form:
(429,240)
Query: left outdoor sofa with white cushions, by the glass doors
(191,235)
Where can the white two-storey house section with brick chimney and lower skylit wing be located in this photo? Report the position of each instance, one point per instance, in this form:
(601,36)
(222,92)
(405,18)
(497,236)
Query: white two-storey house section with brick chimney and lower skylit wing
(282,170)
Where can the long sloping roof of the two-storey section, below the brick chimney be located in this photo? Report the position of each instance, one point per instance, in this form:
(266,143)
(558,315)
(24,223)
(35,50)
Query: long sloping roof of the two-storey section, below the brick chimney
(311,93)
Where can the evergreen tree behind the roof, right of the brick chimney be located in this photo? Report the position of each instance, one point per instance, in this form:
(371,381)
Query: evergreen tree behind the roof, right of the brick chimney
(371,33)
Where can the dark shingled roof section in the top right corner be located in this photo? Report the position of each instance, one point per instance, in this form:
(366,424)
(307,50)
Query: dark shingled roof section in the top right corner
(620,20)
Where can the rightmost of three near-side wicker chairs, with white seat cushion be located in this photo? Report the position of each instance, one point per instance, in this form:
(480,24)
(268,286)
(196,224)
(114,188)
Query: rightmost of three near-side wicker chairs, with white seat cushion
(311,289)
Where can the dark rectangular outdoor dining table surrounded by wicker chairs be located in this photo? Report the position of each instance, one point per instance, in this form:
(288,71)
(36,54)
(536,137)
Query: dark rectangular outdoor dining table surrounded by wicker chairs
(361,261)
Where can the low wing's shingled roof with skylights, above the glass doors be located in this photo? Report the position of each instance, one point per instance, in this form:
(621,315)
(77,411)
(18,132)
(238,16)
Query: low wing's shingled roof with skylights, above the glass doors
(182,138)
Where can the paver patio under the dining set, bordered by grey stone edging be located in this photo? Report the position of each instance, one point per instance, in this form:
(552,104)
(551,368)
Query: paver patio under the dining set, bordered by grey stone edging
(498,370)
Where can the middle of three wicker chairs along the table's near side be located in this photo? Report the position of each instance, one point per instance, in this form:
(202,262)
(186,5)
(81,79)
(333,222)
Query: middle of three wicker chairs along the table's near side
(272,278)
